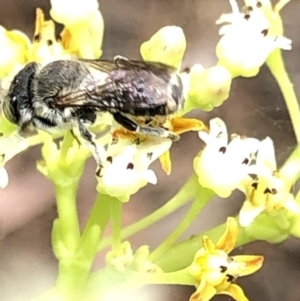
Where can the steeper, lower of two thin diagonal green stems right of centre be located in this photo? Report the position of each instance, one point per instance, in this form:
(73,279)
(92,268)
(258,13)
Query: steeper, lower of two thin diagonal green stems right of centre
(202,197)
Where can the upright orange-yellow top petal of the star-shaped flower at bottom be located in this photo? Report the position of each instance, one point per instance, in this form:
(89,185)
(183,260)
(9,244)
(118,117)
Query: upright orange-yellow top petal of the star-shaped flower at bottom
(228,240)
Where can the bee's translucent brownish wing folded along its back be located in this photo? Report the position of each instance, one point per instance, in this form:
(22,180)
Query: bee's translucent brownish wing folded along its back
(130,86)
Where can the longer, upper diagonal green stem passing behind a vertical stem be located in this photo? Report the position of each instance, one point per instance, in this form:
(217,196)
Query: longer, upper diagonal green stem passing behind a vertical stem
(185,194)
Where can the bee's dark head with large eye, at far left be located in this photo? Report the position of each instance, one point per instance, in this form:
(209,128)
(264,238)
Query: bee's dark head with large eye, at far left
(17,106)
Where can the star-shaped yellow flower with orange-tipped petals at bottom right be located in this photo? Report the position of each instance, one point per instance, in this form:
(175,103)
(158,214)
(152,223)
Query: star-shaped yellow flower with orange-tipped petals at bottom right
(215,271)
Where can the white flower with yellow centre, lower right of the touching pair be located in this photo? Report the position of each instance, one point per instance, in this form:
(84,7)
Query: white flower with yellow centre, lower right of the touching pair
(268,190)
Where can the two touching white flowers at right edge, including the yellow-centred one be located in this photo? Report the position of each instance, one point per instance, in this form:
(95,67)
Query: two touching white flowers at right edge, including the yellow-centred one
(246,164)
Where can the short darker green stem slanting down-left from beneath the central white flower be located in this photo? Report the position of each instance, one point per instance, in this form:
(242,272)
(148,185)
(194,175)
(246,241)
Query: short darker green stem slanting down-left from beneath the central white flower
(100,214)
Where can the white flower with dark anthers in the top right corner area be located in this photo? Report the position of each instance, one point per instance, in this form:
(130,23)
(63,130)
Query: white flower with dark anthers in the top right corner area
(247,40)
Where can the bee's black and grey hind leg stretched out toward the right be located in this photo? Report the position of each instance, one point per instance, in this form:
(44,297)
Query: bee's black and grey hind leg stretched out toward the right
(145,130)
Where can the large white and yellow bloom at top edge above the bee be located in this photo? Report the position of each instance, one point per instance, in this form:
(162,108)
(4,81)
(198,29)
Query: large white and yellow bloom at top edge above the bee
(84,25)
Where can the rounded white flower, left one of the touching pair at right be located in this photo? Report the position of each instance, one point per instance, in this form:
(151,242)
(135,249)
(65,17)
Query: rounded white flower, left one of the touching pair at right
(221,166)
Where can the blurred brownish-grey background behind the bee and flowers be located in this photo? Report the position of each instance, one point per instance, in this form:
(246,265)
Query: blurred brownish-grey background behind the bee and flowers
(255,108)
